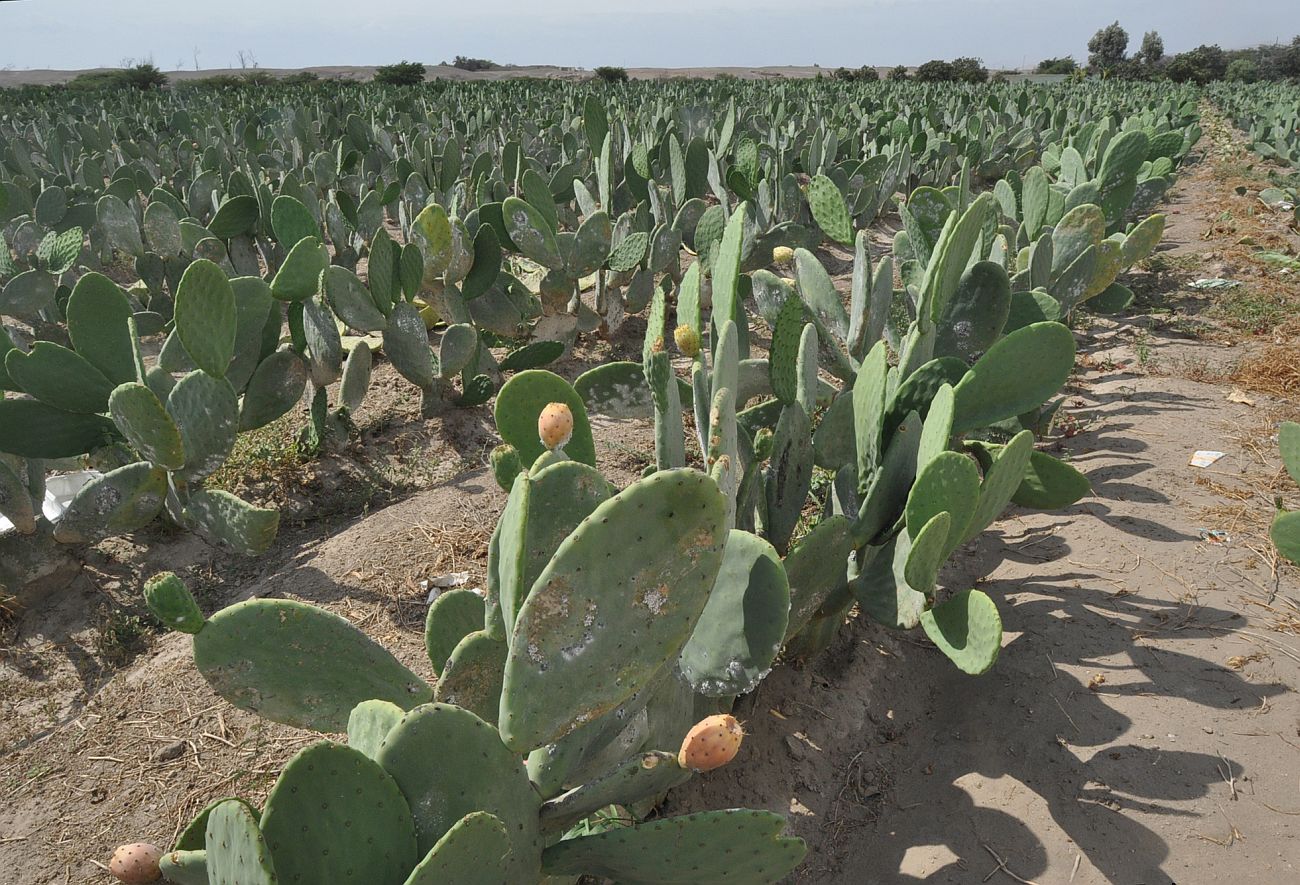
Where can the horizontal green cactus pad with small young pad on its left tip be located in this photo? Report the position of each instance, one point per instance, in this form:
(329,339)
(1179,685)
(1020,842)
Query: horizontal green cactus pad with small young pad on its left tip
(298,665)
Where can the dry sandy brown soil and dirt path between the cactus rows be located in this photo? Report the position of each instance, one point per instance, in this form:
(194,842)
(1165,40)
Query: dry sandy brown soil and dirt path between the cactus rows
(1142,725)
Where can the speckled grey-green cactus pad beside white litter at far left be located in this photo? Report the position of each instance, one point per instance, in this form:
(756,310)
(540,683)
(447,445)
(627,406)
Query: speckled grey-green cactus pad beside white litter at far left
(118,502)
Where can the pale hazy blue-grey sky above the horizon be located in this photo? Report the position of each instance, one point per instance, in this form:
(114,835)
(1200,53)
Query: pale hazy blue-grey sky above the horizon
(72,34)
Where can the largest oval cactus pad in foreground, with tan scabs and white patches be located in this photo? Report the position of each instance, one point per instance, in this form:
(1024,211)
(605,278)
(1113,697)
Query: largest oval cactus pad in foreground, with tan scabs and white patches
(609,622)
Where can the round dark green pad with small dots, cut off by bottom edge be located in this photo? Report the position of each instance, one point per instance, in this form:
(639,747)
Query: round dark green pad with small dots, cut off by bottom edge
(336,817)
